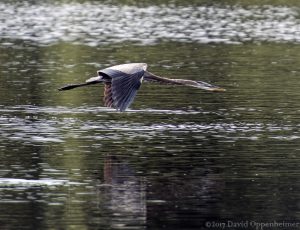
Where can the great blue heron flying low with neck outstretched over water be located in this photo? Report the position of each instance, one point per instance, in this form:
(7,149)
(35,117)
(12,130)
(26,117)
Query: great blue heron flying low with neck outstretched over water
(121,83)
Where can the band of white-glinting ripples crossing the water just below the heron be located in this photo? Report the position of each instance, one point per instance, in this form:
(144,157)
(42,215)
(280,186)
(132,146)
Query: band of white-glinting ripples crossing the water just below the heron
(50,124)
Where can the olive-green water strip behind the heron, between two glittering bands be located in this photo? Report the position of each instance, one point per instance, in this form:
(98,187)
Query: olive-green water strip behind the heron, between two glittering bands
(262,76)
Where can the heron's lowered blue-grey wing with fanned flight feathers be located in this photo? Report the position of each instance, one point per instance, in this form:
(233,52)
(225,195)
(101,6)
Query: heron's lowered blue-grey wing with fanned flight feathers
(120,92)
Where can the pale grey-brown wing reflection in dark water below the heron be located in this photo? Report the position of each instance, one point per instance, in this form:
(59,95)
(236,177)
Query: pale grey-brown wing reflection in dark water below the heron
(123,193)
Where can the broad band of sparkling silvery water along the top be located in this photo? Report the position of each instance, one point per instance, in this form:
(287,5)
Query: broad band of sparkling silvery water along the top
(94,23)
